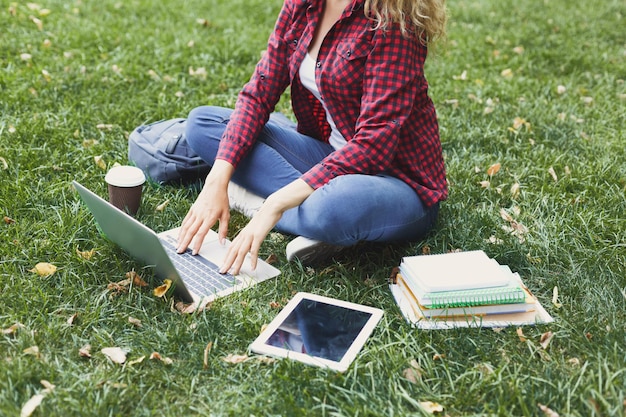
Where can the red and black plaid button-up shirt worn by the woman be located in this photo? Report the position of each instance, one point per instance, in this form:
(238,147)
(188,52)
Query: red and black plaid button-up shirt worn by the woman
(372,83)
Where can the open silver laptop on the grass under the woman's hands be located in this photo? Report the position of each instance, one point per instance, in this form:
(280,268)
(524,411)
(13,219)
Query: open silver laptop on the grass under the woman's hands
(195,278)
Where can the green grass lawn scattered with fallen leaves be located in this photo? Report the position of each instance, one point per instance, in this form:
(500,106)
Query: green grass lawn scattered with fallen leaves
(124,63)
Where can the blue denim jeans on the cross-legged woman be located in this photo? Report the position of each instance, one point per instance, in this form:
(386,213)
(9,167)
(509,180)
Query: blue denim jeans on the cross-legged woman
(347,210)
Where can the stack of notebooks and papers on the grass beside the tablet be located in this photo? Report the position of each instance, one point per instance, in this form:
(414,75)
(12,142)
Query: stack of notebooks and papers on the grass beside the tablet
(463,289)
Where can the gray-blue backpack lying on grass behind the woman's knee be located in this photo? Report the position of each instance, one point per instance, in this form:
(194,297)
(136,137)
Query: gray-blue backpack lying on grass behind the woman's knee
(161,151)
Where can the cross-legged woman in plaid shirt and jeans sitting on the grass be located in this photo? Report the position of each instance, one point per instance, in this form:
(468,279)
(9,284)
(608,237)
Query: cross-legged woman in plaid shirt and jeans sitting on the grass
(364,162)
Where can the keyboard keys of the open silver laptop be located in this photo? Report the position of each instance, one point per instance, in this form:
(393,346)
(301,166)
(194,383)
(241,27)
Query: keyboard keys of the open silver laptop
(200,275)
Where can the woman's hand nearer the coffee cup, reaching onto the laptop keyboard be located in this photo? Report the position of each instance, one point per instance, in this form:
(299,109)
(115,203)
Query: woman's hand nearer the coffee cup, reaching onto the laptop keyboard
(210,207)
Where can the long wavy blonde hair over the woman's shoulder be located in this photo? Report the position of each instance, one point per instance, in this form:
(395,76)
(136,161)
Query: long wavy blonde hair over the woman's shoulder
(425,19)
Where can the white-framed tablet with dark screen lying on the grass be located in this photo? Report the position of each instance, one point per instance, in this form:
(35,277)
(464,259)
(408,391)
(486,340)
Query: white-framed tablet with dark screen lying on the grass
(318,331)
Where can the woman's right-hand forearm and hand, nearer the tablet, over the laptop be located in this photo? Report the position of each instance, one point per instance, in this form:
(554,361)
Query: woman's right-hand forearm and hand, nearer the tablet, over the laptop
(249,239)
